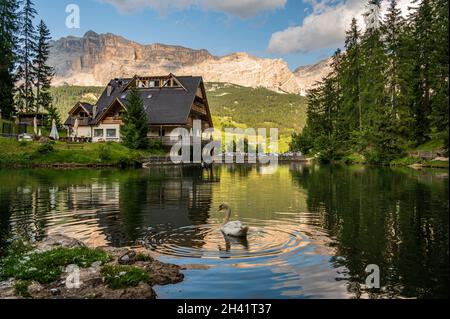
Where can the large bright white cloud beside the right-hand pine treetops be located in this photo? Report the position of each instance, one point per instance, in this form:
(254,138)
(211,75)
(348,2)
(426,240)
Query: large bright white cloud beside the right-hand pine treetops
(324,27)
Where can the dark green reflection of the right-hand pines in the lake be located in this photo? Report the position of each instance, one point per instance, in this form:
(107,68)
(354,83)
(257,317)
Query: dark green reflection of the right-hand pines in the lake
(394,218)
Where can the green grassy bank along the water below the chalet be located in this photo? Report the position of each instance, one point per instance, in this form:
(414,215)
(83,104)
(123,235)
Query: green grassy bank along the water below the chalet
(15,153)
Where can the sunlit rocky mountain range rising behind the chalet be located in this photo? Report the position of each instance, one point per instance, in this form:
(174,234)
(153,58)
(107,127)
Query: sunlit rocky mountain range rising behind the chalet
(92,60)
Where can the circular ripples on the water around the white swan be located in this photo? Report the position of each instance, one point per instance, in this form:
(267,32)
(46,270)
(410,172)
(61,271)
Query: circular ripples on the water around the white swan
(265,239)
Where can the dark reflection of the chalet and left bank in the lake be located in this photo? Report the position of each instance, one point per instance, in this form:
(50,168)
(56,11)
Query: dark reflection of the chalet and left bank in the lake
(113,207)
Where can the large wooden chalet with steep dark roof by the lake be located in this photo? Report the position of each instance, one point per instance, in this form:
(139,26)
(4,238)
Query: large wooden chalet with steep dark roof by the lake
(169,101)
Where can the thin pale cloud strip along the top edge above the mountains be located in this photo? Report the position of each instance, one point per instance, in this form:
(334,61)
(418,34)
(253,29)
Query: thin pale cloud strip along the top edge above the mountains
(240,8)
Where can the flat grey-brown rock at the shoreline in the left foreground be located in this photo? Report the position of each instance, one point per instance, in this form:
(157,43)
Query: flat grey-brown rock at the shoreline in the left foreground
(92,283)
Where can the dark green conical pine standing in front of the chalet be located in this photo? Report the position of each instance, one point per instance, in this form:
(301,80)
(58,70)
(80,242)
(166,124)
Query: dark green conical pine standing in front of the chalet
(135,128)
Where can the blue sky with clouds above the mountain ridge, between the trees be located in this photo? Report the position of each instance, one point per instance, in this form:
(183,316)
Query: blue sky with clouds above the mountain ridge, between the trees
(298,31)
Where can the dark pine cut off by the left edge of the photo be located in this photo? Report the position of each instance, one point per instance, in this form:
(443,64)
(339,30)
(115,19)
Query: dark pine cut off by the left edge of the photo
(8,39)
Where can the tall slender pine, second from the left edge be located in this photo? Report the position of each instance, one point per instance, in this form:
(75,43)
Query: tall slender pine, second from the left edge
(26,56)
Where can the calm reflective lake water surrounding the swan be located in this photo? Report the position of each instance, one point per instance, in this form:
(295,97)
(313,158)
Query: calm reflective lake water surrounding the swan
(313,229)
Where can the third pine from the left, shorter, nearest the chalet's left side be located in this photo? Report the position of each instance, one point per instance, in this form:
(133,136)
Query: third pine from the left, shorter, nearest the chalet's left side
(42,73)
